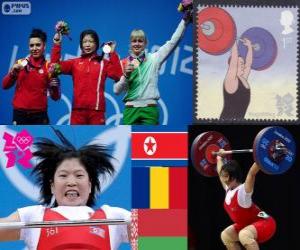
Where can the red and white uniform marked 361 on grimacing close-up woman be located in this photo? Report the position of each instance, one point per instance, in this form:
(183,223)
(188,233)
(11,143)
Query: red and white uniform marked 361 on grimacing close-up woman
(108,237)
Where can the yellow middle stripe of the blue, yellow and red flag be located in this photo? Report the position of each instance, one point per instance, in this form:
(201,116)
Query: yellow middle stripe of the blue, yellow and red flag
(159,187)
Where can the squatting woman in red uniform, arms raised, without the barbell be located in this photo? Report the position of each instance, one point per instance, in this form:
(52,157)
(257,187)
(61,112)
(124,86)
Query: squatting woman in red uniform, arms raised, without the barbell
(252,226)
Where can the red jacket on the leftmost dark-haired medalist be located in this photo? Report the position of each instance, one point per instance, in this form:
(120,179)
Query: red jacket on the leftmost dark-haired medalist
(32,83)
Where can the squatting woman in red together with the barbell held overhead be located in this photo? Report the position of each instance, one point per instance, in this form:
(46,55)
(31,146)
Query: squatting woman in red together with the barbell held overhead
(274,153)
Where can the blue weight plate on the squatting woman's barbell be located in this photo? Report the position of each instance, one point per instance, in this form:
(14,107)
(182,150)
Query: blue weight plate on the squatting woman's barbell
(264,154)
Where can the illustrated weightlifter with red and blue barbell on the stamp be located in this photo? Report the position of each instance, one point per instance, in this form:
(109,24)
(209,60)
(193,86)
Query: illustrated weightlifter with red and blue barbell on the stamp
(255,49)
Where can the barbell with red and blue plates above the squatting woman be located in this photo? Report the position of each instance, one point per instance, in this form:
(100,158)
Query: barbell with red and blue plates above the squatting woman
(273,150)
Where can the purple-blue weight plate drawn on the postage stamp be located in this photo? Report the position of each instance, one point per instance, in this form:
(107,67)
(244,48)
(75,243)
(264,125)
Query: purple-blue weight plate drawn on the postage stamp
(265,47)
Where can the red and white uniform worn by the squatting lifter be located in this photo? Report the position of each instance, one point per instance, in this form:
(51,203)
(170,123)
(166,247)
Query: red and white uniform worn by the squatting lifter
(243,212)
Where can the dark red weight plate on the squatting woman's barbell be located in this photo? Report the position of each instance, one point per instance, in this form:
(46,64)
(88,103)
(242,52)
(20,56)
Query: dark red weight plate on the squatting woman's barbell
(201,152)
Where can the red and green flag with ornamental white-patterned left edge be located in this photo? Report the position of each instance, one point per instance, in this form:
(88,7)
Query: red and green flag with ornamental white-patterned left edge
(159,229)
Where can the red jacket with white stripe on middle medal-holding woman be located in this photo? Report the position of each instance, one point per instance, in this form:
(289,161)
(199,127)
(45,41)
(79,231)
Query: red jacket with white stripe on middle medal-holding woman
(89,74)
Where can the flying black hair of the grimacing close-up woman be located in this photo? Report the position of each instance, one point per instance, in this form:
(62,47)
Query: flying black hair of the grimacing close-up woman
(95,159)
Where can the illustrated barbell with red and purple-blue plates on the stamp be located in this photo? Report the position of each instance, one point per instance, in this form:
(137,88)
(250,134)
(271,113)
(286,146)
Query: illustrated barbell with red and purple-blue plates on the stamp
(217,34)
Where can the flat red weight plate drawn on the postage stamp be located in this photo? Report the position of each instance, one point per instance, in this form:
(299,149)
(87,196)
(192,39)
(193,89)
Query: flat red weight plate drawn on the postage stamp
(222,32)
